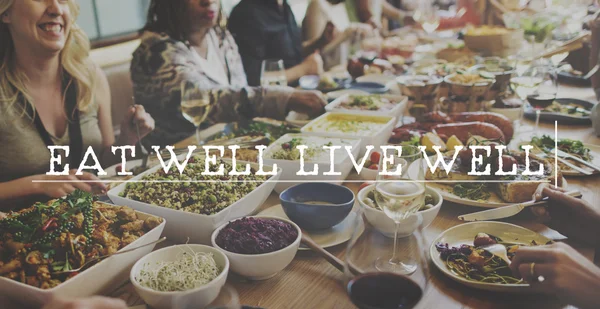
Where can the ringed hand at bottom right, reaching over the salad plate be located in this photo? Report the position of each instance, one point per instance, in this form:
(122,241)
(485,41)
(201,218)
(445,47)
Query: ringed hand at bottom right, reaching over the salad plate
(566,273)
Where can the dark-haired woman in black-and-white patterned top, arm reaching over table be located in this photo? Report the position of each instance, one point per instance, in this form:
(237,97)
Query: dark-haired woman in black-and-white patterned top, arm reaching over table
(185,41)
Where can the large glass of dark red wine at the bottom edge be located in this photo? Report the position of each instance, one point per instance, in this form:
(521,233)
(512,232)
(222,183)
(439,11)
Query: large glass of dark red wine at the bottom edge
(371,288)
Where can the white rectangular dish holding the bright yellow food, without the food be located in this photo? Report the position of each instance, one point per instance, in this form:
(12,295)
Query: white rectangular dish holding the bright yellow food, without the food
(376,137)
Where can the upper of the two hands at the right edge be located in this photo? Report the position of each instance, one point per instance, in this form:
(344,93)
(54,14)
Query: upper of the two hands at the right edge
(572,217)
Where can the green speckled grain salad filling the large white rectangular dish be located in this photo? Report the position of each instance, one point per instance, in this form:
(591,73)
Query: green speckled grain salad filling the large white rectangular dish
(203,194)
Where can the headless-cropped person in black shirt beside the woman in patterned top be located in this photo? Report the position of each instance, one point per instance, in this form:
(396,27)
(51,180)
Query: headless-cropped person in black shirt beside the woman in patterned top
(267,29)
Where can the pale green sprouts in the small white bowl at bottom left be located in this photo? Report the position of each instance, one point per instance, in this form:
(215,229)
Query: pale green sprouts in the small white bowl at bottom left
(189,271)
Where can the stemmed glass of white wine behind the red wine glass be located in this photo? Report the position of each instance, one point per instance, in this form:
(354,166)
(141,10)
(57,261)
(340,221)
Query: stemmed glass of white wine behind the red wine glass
(400,195)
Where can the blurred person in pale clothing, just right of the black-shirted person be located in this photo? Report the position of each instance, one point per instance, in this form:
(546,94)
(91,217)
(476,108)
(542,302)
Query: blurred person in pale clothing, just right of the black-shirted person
(319,20)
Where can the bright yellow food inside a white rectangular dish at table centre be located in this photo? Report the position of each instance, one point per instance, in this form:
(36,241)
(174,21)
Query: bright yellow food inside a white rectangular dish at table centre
(347,124)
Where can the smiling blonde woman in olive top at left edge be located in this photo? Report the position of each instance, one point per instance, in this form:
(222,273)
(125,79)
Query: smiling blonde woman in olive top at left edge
(52,94)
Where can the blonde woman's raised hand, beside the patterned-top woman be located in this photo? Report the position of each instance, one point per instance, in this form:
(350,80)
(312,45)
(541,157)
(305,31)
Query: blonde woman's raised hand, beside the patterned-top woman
(136,116)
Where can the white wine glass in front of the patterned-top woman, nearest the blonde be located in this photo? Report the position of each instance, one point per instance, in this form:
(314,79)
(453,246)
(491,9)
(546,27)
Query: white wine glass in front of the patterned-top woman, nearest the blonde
(195,104)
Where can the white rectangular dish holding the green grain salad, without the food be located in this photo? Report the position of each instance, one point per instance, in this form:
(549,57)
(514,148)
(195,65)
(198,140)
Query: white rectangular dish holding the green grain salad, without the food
(196,227)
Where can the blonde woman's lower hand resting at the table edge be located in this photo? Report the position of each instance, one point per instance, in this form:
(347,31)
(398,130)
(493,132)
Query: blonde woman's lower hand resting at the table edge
(55,189)
